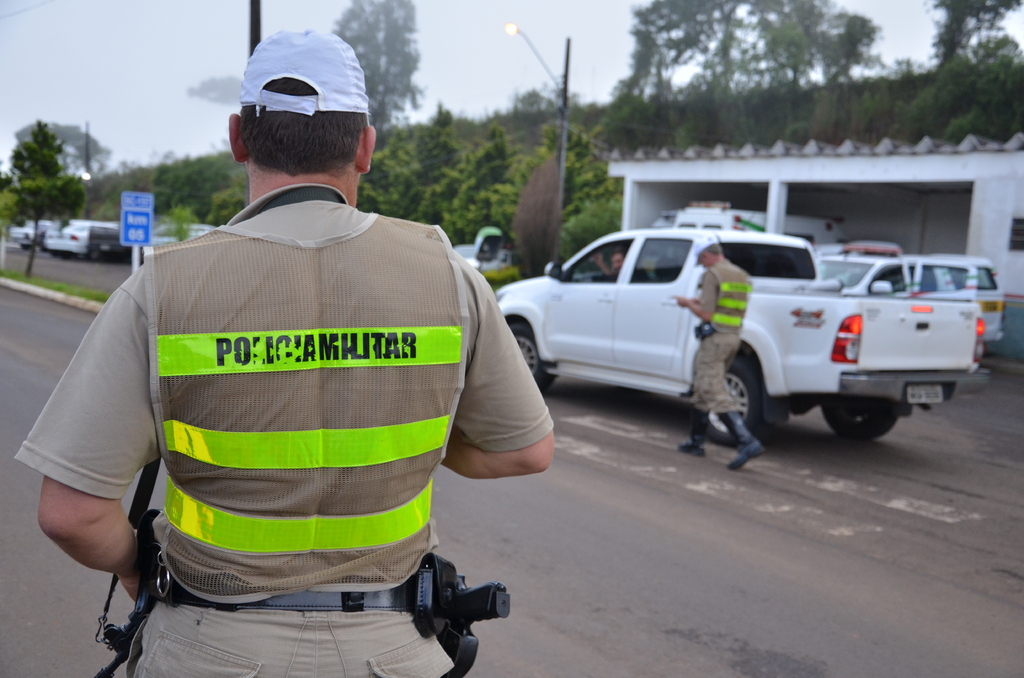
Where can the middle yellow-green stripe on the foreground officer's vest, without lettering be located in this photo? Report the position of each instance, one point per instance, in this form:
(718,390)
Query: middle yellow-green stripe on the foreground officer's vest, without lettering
(316,449)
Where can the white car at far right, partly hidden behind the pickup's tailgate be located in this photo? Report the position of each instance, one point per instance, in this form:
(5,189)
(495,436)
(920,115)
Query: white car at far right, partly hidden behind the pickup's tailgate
(960,277)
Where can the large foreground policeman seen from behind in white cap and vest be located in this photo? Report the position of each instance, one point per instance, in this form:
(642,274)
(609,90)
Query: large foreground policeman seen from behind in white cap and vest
(302,372)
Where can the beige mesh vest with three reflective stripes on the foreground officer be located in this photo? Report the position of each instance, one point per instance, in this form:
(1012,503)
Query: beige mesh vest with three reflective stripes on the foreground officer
(306,395)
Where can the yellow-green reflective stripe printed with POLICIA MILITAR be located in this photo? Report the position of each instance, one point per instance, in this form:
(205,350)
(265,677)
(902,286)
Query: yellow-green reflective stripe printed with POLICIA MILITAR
(242,353)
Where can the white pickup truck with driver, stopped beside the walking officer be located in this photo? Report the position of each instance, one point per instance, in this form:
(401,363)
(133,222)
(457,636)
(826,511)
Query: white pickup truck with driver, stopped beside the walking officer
(609,316)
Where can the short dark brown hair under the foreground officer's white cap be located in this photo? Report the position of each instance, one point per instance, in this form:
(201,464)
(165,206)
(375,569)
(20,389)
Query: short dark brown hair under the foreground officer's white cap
(296,144)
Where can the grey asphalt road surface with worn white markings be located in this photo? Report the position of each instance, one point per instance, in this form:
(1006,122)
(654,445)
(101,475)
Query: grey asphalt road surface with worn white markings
(903,558)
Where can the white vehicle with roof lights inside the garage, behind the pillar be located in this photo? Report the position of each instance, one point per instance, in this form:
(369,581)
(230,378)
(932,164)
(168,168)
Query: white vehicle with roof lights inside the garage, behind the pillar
(721,217)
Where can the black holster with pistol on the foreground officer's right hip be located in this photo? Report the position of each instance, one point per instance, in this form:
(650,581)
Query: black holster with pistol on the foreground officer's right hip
(446,608)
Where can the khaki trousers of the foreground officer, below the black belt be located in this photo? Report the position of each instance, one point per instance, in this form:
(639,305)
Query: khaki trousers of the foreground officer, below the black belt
(198,643)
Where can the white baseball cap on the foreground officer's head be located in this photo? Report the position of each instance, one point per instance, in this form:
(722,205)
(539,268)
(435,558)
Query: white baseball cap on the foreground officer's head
(323,61)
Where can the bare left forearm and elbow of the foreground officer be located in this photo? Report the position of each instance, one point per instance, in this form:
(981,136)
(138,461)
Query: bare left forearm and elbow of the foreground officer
(94,531)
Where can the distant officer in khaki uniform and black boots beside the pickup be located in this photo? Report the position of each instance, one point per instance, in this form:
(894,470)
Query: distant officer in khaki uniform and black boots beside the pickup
(726,289)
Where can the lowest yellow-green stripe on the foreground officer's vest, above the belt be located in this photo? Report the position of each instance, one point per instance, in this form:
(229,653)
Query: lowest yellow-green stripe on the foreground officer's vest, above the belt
(237,533)
